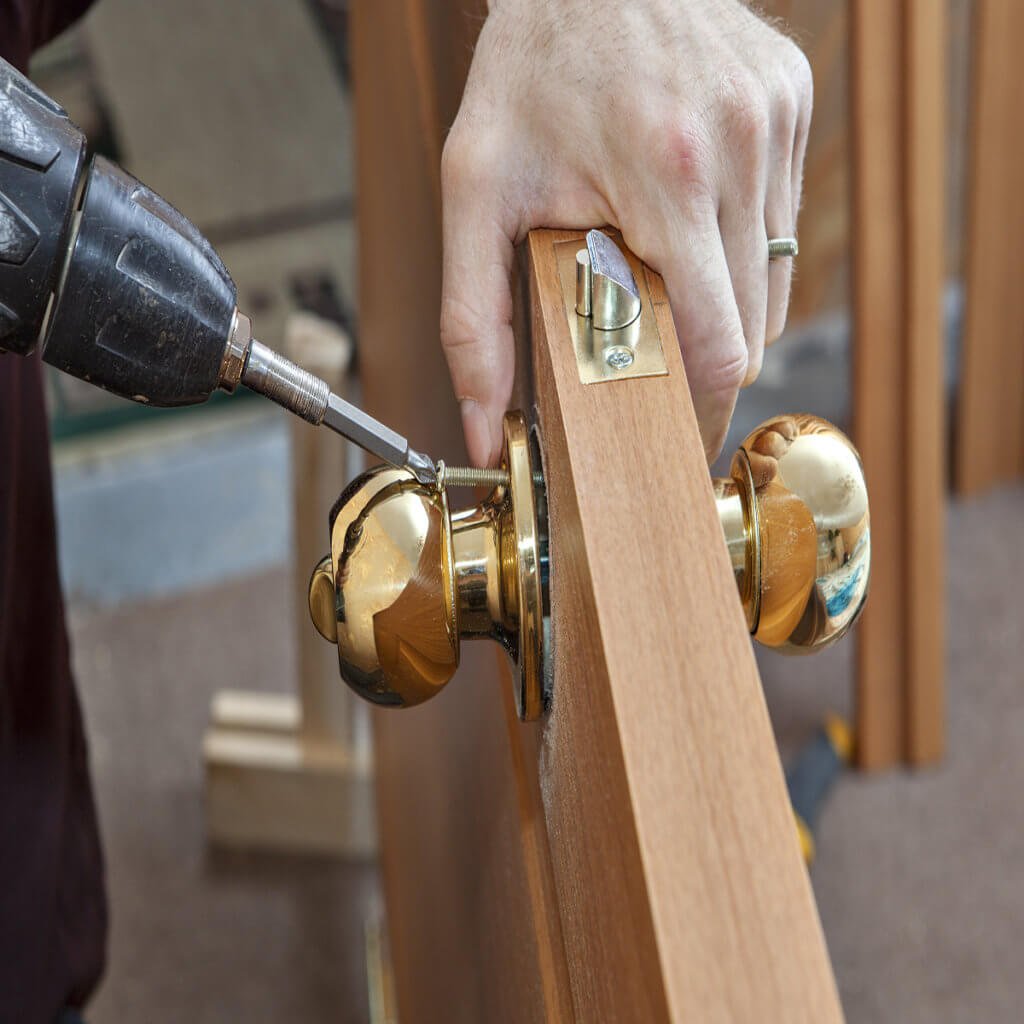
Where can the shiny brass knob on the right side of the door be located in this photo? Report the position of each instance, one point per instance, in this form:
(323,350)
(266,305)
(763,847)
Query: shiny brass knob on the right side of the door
(796,522)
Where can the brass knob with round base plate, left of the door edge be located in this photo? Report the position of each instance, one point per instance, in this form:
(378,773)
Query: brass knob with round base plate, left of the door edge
(407,580)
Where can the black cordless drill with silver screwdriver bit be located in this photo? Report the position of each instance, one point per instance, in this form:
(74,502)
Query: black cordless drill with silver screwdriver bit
(120,290)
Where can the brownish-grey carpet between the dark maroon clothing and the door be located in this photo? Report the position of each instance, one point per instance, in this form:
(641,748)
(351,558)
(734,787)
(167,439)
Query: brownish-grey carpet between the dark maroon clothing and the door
(197,936)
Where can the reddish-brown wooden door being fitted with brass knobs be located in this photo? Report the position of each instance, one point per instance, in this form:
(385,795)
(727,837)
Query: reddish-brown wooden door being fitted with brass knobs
(632,857)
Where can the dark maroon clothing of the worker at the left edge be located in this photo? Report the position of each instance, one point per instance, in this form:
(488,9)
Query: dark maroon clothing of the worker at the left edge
(53,907)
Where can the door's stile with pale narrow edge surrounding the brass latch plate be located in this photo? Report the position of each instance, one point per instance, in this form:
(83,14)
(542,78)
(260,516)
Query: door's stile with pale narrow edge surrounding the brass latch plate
(681,889)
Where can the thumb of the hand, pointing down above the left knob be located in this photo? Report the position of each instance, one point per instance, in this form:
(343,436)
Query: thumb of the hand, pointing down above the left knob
(477,311)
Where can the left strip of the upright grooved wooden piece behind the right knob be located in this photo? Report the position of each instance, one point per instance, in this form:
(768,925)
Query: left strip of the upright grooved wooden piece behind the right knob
(879,385)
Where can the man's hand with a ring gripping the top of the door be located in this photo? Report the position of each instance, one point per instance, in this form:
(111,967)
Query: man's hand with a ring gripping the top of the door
(681,122)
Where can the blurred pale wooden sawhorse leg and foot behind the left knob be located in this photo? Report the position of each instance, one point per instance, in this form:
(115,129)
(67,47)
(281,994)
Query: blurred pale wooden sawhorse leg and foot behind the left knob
(294,772)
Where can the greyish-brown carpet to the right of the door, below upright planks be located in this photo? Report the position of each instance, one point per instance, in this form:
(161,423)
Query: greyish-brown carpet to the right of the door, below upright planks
(921,876)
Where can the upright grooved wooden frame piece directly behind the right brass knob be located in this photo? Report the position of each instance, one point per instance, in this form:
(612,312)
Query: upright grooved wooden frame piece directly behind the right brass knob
(898,58)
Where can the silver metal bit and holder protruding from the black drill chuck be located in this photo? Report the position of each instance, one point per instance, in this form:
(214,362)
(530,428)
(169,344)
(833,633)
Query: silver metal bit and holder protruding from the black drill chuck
(308,397)
